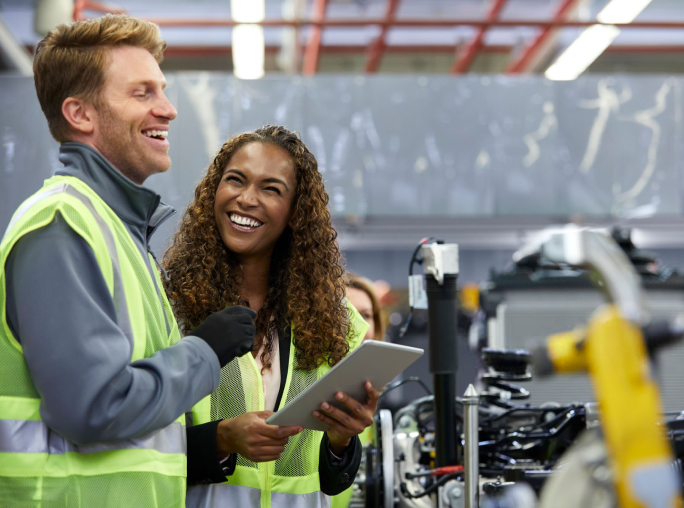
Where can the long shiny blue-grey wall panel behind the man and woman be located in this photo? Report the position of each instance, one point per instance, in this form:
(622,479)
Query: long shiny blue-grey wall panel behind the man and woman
(477,146)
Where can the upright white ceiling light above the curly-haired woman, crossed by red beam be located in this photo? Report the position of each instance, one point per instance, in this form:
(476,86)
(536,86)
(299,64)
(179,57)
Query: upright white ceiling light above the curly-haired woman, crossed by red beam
(248,40)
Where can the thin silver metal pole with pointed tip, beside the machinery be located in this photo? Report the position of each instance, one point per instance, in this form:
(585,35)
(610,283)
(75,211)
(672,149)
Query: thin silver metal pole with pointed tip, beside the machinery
(471,455)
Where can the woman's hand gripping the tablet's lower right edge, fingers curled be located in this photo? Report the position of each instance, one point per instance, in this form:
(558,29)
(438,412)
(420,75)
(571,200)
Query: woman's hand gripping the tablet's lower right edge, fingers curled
(342,426)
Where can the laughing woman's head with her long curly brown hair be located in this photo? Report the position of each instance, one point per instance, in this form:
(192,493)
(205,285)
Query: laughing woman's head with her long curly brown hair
(268,176)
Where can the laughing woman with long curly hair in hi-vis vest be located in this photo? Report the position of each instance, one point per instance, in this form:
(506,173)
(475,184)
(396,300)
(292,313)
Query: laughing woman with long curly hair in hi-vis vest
(258,234)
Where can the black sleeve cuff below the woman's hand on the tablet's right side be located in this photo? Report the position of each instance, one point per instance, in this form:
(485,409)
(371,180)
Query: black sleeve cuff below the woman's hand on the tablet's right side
(337,475)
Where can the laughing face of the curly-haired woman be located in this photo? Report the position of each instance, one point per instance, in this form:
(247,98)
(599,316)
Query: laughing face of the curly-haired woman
(254,199)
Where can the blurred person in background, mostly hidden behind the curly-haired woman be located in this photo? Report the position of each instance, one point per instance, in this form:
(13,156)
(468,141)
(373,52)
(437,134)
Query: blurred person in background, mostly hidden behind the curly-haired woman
(362,295)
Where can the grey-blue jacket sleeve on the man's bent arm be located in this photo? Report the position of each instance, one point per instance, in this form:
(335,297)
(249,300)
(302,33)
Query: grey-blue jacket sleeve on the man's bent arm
(60,310)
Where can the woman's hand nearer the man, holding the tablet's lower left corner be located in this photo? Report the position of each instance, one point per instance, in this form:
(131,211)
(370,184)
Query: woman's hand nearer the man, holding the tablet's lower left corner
(253,438)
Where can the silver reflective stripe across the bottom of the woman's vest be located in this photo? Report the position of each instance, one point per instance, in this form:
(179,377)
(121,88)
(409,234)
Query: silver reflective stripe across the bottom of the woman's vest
(224,494)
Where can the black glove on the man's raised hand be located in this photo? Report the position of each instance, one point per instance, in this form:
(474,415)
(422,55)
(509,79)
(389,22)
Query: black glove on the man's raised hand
(229,332)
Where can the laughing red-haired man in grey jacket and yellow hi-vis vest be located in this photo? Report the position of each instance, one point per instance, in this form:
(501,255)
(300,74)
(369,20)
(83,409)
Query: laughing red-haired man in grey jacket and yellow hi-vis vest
(93,377)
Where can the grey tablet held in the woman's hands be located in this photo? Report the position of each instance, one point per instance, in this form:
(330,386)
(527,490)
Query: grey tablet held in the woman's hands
(374,361)
